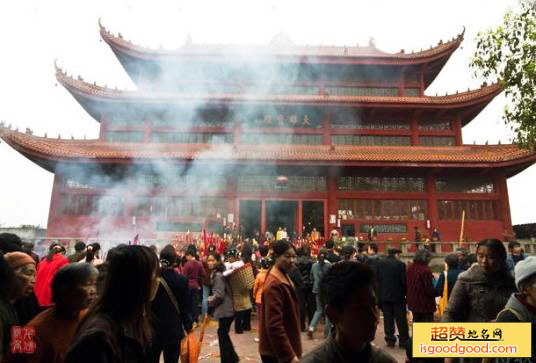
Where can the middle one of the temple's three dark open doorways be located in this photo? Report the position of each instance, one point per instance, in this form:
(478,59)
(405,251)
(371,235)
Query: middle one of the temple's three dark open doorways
(282,213)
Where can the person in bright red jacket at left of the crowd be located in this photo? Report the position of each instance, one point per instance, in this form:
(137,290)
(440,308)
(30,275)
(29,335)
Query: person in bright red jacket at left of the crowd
(46,269)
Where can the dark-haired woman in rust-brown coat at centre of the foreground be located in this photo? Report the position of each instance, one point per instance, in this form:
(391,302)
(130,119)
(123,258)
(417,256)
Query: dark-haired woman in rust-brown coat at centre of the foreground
(279,331)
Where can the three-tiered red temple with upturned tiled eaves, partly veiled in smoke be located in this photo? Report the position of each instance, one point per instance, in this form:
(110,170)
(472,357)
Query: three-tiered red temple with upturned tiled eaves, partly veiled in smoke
(281,135)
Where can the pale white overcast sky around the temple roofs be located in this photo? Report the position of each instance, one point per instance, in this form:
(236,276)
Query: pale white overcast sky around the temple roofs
(34,33)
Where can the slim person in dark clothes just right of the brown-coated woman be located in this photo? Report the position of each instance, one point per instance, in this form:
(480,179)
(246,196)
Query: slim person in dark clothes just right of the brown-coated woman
(307,298)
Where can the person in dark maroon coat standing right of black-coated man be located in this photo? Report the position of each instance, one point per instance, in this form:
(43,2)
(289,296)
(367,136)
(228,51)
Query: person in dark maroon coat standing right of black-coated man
(421,292)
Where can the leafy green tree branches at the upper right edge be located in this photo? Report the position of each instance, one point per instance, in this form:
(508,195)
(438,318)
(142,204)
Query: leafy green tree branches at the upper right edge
(507,55)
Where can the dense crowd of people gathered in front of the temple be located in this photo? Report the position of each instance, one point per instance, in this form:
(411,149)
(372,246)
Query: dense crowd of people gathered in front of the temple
(138,303)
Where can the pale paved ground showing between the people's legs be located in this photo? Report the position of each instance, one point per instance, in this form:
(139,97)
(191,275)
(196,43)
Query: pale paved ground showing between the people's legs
(246,347)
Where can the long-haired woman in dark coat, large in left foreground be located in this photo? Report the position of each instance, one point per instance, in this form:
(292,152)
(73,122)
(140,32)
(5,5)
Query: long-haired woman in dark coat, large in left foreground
(117,328)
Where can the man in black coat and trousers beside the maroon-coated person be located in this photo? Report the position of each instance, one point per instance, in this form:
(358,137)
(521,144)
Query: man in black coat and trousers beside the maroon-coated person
(392,299)
